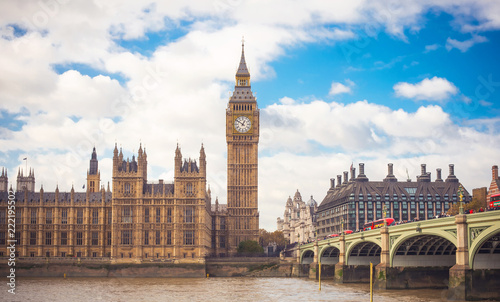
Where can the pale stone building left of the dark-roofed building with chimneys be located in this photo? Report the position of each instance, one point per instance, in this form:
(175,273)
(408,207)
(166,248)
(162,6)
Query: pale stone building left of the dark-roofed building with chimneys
(299,220)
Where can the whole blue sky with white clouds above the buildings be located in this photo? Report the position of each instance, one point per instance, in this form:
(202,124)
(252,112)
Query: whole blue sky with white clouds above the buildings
(338,83)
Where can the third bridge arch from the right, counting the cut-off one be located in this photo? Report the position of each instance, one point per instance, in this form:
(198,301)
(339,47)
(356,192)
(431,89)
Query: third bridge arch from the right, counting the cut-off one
(362,252)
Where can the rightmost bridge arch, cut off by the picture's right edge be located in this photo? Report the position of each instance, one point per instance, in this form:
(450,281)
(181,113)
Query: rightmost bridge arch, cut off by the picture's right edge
(484,250)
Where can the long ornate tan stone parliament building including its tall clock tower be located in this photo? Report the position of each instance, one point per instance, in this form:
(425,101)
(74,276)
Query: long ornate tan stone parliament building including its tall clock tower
(137,220)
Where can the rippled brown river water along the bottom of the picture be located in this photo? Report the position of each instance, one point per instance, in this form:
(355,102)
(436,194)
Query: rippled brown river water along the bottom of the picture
(212,289)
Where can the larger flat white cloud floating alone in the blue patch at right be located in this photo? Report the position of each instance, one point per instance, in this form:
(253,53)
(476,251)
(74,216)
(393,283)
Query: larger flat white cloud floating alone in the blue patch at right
(434,89)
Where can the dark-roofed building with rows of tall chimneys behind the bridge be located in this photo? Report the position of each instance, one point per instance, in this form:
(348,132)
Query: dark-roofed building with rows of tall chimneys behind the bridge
(355,201)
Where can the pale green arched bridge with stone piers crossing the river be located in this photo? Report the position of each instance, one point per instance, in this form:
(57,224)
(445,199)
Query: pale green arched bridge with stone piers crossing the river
(461,253)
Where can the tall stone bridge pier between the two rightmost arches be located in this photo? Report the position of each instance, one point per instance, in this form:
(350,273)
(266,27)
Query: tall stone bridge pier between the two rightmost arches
(460,281)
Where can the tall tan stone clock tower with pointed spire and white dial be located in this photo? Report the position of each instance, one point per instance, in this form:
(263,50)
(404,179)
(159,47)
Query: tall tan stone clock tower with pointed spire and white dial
(242,135)
